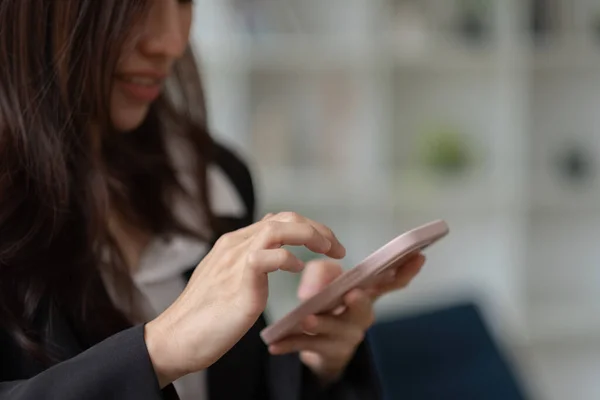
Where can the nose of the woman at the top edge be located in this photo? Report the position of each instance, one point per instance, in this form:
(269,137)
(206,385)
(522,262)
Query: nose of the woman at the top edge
(164,36)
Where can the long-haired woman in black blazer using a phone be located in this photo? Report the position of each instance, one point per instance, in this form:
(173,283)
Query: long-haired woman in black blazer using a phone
(108,200)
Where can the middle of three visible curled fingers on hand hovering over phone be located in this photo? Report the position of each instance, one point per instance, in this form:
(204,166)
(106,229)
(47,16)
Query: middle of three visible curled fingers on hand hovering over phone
(276,234)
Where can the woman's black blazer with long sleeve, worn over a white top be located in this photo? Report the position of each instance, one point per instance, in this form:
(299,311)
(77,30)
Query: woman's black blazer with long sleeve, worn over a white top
(120,368)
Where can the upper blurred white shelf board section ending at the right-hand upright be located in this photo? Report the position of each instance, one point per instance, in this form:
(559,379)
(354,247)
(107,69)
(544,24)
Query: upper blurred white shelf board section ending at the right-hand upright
(306,52)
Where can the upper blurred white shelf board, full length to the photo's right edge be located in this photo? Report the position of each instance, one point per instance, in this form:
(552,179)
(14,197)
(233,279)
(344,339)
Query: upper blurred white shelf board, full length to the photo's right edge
(294,52)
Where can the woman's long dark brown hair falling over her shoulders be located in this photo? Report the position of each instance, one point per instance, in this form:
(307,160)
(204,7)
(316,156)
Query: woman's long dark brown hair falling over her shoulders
(62,168)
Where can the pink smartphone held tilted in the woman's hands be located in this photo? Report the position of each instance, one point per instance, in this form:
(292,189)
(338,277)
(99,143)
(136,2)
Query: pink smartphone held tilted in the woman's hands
(363,275)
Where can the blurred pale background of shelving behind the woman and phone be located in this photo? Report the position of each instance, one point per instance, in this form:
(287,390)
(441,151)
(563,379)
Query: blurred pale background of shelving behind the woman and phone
(375,116)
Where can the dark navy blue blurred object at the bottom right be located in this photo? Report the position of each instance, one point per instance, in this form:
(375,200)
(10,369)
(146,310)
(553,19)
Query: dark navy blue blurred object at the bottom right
(446,354)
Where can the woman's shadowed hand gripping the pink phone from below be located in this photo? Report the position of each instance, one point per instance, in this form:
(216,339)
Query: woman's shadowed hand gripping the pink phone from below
(333,338)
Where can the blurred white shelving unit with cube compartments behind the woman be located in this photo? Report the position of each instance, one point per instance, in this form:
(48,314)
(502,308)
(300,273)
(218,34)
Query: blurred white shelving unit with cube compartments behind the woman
(501,92)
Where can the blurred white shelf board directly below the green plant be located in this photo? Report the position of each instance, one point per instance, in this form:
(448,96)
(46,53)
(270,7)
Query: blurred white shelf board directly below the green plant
(415,193)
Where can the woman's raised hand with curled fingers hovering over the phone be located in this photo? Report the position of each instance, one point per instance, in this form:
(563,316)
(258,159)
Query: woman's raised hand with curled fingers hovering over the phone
(228,292)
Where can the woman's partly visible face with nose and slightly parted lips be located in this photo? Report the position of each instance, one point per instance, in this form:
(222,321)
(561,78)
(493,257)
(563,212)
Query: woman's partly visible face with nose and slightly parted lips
(147,61)
